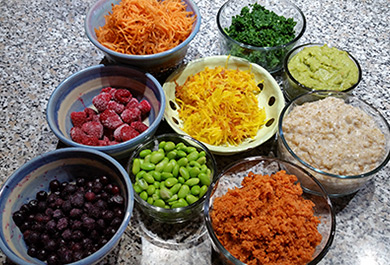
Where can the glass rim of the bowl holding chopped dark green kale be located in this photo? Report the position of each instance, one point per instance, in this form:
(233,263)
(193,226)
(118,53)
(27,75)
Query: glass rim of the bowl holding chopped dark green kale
(265,49)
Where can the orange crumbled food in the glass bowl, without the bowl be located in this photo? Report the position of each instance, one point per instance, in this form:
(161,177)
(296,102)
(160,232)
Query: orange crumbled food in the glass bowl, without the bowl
(267,221)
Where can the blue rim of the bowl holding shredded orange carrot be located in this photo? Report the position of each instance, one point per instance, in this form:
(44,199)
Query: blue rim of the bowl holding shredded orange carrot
(155,56)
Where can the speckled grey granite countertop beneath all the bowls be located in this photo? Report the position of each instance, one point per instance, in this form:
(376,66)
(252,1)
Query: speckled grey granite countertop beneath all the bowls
(42,42)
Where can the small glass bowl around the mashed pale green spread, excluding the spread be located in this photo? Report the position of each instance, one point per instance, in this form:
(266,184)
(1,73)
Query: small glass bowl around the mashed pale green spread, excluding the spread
(293,88)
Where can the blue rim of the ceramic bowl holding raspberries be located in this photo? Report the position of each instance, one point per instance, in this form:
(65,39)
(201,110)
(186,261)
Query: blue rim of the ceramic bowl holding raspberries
(110,148)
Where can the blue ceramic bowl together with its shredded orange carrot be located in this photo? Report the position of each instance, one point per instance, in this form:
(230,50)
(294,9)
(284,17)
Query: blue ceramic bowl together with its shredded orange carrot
(151,35)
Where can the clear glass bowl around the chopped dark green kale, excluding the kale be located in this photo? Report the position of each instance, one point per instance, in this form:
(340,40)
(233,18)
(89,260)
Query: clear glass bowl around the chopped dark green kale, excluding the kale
(271,58)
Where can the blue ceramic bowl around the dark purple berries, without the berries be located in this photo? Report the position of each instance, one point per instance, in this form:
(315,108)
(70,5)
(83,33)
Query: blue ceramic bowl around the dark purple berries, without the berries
(35,175)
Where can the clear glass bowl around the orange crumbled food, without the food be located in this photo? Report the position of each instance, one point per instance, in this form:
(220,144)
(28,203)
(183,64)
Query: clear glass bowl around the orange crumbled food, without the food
(231,178)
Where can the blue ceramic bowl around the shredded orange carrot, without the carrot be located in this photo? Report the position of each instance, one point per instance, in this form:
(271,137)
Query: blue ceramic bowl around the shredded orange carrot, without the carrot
(154,63)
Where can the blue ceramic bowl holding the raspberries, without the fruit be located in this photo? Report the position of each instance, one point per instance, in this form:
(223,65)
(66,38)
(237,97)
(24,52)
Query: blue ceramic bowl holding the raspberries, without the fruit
(77,91)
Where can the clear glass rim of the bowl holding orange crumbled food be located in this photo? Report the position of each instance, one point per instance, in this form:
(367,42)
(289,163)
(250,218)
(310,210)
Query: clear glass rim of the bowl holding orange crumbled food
(324,194)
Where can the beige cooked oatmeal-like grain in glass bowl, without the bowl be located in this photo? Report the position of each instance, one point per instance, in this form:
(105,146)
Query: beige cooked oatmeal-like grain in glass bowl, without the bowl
(334,136)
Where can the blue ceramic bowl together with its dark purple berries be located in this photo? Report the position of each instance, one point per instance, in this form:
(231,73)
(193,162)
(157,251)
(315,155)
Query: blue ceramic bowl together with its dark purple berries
(39,199)
